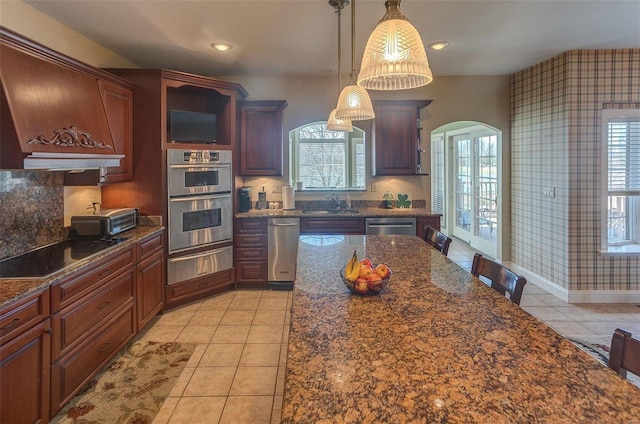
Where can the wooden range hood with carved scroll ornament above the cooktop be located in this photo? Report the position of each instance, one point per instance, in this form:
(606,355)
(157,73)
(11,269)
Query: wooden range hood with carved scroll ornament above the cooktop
(53,104)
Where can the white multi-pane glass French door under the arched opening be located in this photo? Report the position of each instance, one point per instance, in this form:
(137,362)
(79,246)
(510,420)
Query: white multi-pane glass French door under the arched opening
(476,190)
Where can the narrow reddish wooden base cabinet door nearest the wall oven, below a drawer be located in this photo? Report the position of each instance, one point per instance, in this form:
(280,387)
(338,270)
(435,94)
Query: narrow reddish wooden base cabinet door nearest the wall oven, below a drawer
(150,288)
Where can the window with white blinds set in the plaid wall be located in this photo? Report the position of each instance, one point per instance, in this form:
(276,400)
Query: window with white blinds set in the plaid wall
(621,174)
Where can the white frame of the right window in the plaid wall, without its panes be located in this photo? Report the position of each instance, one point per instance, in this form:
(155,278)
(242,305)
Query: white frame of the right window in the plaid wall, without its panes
(631,246)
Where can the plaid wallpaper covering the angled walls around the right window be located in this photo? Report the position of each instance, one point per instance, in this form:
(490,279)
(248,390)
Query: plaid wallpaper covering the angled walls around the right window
(556,142)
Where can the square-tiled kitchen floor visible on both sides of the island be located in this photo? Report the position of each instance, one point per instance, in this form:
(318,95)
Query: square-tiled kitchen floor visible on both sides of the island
(236,374)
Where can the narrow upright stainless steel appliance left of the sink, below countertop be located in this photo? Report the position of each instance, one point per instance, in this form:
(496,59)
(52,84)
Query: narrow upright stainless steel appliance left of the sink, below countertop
(283,235)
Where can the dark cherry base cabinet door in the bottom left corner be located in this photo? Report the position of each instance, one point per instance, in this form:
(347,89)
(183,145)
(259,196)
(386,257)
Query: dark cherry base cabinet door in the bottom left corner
(25,376)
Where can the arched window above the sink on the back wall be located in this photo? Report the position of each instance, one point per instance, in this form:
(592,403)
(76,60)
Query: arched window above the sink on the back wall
(328,160)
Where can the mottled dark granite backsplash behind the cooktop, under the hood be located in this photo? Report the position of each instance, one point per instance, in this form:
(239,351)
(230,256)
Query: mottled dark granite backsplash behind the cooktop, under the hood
(31,210)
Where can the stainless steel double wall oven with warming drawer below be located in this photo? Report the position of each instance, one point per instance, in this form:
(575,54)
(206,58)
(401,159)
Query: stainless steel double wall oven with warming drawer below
(200,213)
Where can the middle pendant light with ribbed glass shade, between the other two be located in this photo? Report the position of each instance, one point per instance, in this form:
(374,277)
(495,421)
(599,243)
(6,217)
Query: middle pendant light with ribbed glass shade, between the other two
(354,102)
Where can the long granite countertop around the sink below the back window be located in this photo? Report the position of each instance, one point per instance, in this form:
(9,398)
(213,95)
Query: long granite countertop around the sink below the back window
(354,213)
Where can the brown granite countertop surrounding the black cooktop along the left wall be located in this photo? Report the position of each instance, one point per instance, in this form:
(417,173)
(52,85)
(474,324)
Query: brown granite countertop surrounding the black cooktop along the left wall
(14,289)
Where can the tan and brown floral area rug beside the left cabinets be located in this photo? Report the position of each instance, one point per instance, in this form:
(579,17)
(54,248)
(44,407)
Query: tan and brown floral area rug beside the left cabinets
(131,388)
